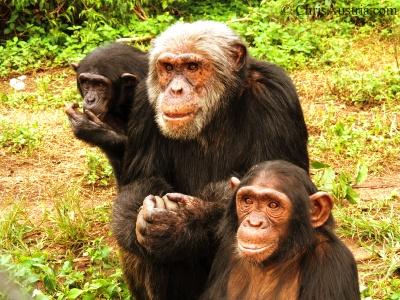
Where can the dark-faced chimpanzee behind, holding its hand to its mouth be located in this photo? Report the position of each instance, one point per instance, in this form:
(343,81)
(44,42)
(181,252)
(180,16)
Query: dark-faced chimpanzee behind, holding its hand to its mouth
(106,79)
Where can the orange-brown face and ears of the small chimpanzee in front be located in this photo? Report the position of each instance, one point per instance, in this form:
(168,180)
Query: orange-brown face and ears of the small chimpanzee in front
(266,214)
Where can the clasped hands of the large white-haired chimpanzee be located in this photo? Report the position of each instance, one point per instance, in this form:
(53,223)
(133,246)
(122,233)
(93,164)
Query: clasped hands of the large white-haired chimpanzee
(162,220)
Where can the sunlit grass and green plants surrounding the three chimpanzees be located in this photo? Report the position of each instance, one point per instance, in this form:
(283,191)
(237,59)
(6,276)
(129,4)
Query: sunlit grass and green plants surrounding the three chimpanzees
(56,192)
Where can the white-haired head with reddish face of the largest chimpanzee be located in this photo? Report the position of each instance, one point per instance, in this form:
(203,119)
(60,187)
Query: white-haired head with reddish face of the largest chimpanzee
(190,76)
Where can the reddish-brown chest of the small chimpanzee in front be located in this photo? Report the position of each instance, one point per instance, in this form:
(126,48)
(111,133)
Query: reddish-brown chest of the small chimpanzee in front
(249,280)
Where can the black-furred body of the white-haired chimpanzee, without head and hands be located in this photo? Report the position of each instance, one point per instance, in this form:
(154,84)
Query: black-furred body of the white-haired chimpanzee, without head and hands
(261,120)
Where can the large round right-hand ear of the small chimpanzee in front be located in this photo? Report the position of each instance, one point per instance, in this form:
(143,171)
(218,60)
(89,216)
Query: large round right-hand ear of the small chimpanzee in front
(321,206)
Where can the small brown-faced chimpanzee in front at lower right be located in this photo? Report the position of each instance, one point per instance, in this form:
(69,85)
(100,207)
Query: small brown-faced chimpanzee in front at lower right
(277,241)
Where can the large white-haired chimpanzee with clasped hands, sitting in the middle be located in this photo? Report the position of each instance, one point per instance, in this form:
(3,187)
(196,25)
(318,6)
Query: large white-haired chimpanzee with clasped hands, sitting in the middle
(217,112)
